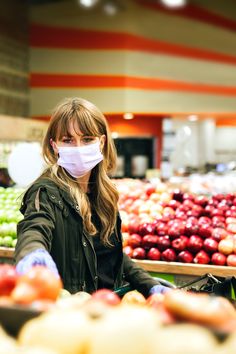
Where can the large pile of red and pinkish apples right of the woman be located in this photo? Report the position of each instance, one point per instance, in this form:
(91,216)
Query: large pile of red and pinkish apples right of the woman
(174,226)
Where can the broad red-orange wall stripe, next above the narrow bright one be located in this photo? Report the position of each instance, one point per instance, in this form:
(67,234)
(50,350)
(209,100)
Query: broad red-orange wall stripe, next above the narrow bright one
(71,38)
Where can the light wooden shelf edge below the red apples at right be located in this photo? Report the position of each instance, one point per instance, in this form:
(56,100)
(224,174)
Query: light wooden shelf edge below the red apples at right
(186,269)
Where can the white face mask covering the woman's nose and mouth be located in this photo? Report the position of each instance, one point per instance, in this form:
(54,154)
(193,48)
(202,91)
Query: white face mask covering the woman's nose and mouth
(78,160)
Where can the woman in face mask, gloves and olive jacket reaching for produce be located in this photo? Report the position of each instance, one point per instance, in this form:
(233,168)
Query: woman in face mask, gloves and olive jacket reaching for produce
(71,222)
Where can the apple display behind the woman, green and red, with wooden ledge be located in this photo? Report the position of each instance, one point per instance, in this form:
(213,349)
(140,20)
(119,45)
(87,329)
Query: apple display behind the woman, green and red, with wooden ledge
(166,231)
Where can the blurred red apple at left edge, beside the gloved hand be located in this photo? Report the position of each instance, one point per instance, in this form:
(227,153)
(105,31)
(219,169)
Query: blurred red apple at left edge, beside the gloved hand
(8,279)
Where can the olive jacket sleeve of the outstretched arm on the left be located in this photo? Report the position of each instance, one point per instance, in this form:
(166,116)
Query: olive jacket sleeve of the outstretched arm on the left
(36,229)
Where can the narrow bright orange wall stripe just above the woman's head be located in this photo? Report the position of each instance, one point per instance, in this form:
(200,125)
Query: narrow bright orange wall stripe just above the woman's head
(102,81)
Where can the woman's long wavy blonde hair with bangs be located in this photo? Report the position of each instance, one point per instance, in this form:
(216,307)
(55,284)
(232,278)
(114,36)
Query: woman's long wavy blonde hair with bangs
(91,122)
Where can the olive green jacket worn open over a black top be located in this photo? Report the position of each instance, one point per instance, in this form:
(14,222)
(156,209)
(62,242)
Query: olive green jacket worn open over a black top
(52,221)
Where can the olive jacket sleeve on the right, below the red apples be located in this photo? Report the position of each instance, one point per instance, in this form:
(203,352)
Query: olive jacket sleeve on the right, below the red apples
(137,277)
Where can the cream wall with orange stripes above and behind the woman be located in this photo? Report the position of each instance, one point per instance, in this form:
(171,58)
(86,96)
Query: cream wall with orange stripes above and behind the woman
(147,60)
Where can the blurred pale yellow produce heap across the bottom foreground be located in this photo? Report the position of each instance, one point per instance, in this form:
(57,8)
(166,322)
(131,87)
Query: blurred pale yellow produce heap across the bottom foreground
(97,326)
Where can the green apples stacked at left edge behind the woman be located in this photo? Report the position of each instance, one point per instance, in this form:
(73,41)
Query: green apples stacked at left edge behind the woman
(9,215)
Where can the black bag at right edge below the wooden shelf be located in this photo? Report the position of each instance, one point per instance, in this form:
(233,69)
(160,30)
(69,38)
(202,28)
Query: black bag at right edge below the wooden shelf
(213,285)
